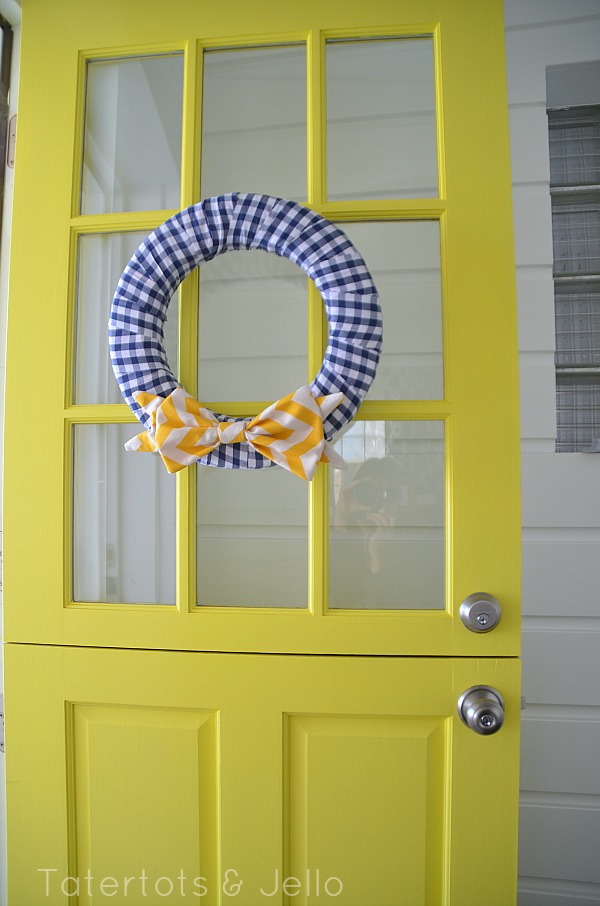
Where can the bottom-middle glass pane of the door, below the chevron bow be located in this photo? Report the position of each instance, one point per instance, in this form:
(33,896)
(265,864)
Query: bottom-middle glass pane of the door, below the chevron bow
(252,538)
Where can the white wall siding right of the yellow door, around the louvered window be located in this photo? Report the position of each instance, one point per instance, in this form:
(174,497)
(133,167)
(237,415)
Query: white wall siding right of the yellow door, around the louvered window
(560,754)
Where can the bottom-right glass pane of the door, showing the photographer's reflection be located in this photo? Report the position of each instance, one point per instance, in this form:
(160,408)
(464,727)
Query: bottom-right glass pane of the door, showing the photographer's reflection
(387,518)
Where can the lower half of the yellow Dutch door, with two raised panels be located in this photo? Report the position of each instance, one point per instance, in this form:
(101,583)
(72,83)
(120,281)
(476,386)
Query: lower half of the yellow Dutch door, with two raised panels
(191,765)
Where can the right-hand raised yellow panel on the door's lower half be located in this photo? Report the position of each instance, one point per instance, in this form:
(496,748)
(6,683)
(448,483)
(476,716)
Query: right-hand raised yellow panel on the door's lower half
(339,767)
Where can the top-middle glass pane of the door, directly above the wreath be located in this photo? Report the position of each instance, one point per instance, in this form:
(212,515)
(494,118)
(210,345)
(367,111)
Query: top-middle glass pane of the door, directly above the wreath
(254,122)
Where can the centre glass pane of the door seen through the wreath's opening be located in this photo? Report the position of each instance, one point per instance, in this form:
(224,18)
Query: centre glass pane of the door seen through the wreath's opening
(253,327)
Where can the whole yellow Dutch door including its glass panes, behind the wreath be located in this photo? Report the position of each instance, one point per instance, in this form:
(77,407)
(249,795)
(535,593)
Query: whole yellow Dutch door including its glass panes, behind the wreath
(238,676)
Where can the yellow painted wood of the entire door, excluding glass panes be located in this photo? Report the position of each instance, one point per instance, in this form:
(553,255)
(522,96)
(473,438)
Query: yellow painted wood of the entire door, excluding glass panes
(200,760)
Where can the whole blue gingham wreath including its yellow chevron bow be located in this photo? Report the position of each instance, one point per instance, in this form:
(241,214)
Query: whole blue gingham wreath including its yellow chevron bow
(293,432)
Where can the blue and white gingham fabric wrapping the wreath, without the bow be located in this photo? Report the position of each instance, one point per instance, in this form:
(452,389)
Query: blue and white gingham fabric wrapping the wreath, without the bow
(245,221)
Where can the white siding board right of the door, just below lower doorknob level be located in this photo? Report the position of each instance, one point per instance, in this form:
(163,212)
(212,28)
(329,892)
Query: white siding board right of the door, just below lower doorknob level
(560,755)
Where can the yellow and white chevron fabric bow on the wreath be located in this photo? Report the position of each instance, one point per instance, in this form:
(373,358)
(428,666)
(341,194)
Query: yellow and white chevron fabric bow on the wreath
(289,432)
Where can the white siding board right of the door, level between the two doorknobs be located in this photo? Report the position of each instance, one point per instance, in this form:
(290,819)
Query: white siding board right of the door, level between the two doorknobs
(562,668)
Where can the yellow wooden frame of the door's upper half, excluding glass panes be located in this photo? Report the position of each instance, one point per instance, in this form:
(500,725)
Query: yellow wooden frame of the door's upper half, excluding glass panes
(480,408)
